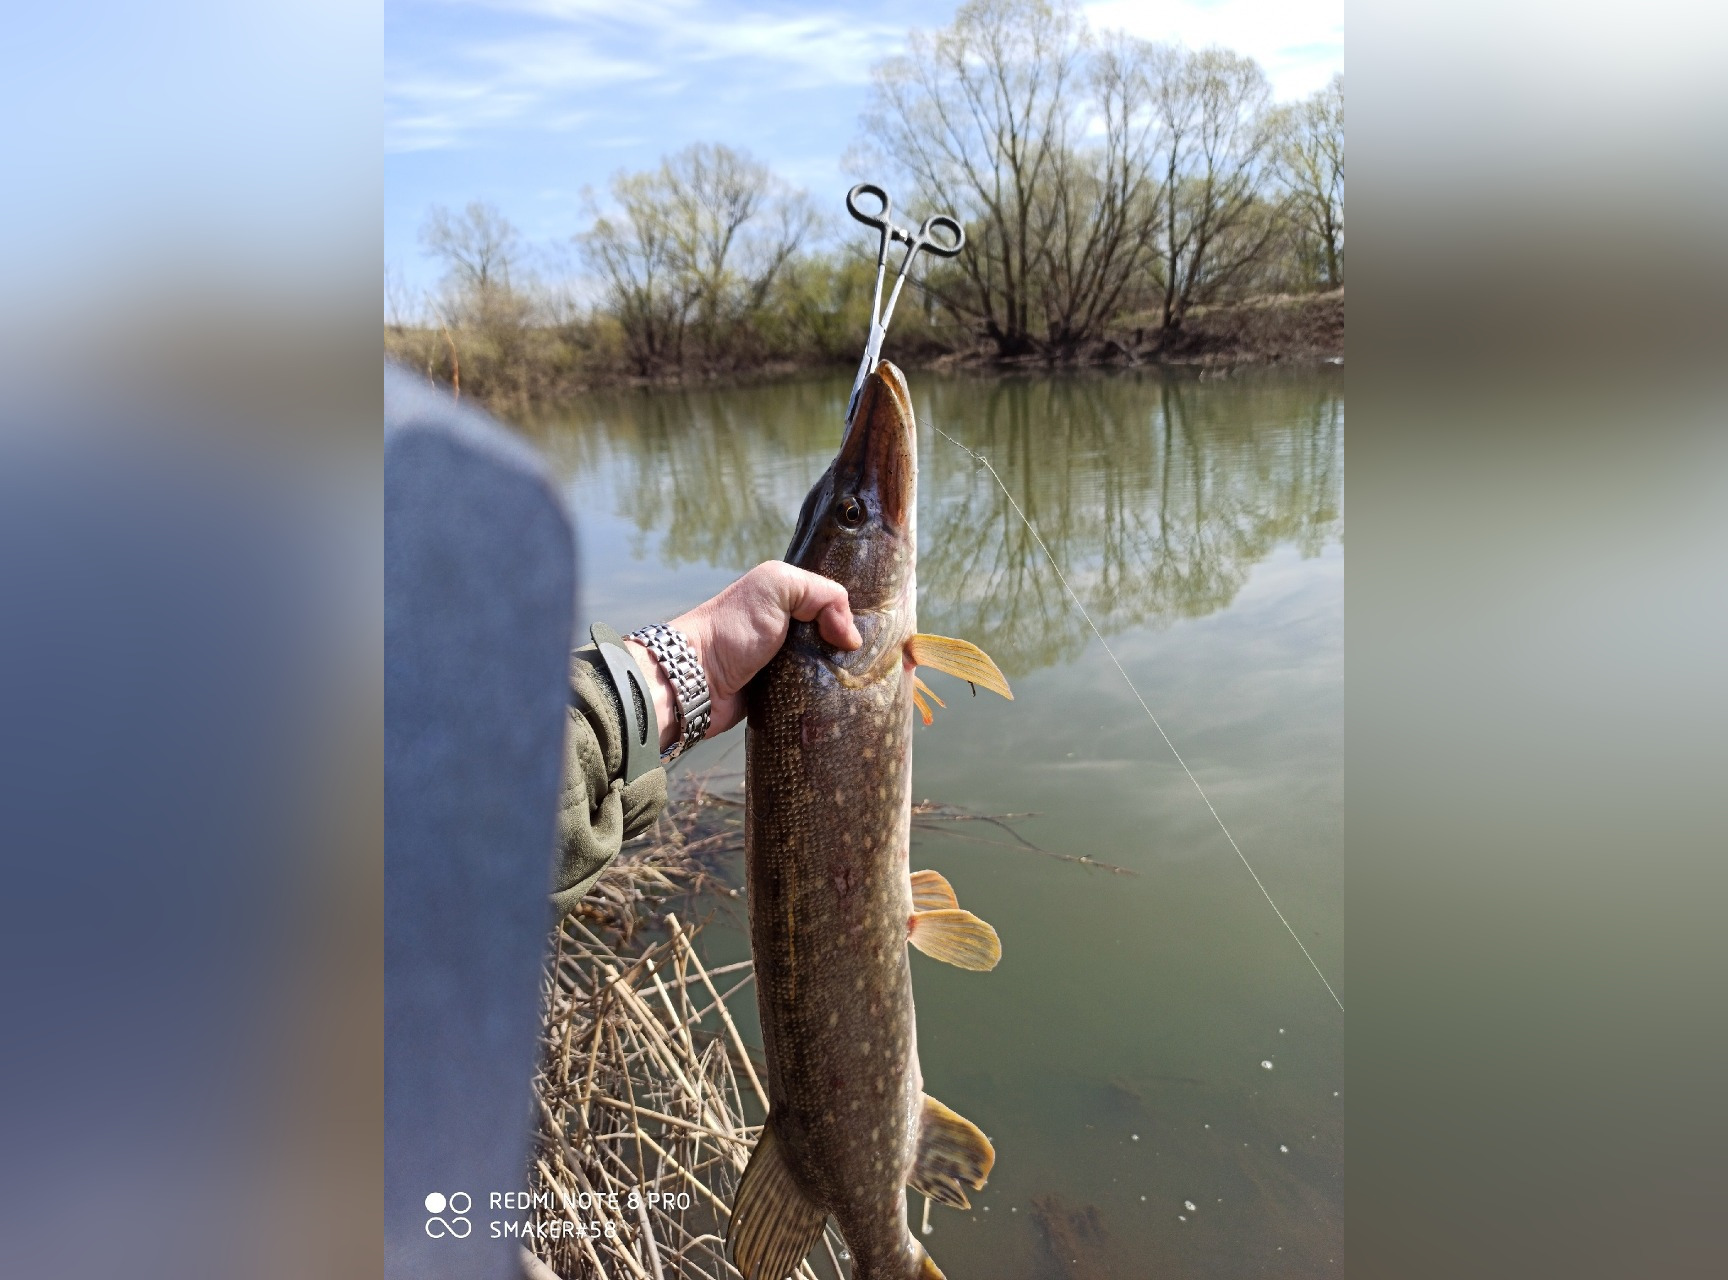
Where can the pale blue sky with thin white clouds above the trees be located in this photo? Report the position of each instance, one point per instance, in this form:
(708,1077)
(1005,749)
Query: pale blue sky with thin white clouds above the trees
(528,103)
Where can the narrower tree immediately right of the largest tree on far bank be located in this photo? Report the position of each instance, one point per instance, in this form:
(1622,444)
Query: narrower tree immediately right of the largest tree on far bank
(1216,134)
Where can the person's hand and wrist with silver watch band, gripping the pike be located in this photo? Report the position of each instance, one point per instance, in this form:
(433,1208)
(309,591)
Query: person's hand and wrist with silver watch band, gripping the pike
(739,631)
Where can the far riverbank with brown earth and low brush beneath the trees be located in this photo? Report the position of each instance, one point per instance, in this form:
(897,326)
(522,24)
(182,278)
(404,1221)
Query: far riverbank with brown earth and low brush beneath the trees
(552,364)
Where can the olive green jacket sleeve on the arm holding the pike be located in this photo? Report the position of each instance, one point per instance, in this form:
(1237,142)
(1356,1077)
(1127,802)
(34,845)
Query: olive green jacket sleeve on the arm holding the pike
(597,811)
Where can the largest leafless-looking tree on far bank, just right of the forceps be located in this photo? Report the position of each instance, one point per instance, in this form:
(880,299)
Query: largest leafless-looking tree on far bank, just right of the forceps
(1055,148)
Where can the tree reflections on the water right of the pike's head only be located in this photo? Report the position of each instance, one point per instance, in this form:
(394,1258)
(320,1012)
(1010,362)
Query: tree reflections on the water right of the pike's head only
(1157,498)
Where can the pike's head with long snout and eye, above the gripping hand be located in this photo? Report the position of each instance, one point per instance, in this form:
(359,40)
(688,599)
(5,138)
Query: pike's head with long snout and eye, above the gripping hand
(860,524)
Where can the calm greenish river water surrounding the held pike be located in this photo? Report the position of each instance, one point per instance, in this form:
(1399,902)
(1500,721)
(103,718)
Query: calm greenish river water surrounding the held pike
(1119,1056)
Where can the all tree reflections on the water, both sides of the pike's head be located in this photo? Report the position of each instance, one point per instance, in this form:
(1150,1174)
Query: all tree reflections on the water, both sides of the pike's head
(1155,495)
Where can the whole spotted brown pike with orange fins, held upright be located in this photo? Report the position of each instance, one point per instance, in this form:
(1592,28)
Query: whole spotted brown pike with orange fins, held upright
(834,904)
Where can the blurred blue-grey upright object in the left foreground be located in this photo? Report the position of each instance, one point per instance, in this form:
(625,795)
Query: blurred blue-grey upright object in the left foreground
(480,569)
